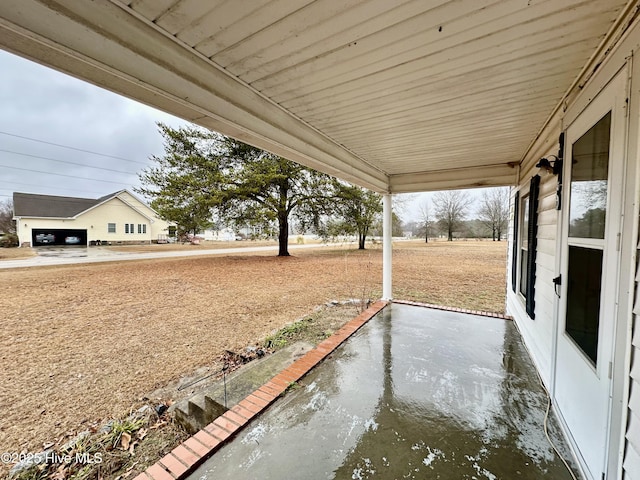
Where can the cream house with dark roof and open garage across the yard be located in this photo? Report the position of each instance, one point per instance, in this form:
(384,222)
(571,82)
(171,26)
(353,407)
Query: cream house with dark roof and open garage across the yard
(117,218)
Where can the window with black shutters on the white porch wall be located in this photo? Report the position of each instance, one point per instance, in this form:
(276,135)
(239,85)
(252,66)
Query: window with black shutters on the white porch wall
(525,245)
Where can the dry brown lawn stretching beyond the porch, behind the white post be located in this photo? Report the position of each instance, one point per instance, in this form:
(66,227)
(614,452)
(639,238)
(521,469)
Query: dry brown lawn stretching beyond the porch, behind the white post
(83,343)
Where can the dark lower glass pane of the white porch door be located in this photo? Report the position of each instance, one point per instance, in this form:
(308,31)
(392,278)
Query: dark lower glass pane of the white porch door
(583,298)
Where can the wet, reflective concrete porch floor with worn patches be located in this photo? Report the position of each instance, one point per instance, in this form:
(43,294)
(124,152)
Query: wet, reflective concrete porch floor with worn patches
(416,393)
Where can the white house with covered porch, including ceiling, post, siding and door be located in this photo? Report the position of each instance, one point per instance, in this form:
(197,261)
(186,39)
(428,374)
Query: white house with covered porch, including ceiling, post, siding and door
(423,96)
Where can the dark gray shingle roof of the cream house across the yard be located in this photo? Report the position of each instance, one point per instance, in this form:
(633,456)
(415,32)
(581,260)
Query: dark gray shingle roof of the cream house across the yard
(31,205)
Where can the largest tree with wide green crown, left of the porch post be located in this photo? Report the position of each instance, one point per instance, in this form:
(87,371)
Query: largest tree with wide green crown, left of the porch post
(203,175)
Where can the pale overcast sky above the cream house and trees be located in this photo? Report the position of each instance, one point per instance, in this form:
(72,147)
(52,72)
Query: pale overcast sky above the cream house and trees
(48,107)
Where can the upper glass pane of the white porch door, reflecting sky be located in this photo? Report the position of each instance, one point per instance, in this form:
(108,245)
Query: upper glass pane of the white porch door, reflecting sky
(589,174)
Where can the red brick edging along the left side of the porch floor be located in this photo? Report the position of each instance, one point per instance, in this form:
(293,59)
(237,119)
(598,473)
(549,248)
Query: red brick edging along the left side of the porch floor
(190,454)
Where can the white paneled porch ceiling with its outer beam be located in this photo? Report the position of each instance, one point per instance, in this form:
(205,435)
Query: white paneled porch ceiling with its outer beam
(393,95)
